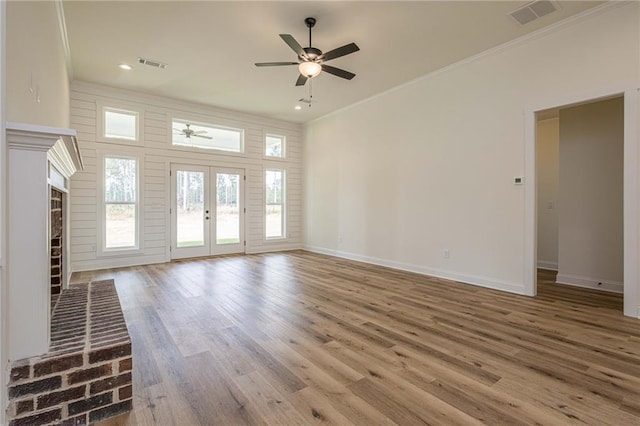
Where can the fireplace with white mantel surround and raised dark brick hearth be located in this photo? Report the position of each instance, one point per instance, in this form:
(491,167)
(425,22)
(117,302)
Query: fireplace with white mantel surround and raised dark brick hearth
(69,348)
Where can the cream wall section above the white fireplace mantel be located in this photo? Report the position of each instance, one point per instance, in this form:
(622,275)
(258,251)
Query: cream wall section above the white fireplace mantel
(37,78)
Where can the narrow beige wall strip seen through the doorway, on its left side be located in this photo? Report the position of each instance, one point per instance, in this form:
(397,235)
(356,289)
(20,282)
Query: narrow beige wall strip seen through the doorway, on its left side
(547,163)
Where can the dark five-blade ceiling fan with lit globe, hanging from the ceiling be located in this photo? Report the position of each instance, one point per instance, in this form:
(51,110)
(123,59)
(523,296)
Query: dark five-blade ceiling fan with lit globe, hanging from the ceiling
(311,60)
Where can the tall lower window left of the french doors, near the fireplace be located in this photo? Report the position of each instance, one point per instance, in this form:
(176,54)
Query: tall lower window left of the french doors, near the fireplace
(120,203)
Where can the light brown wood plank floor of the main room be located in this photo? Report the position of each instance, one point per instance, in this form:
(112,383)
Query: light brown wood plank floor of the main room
(300,338)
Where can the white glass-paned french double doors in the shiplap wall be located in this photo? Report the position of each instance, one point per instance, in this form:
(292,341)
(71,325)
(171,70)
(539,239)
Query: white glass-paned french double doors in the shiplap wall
(207,211)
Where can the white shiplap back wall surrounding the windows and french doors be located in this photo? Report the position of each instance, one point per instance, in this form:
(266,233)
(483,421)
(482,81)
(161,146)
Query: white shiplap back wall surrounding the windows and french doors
(157,154)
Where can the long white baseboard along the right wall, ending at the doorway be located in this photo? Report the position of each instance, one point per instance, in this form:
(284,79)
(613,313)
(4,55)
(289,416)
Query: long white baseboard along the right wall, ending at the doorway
(517,288)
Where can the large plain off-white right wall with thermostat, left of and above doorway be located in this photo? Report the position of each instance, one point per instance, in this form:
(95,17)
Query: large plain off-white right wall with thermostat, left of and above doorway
(429,166)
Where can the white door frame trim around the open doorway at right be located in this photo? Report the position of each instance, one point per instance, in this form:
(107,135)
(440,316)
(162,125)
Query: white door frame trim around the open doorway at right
(630,192)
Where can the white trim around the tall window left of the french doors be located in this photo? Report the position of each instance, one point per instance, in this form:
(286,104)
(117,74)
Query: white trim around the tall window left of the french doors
(102,250)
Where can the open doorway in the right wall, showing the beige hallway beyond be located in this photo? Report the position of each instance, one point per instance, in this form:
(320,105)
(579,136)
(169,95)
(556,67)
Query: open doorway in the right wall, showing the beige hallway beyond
(579,161)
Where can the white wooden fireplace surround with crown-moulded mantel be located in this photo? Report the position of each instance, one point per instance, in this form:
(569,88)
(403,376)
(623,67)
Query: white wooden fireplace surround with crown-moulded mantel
(39,158)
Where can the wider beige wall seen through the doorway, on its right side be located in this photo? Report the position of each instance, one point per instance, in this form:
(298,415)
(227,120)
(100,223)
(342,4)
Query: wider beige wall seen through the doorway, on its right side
(590,242)
